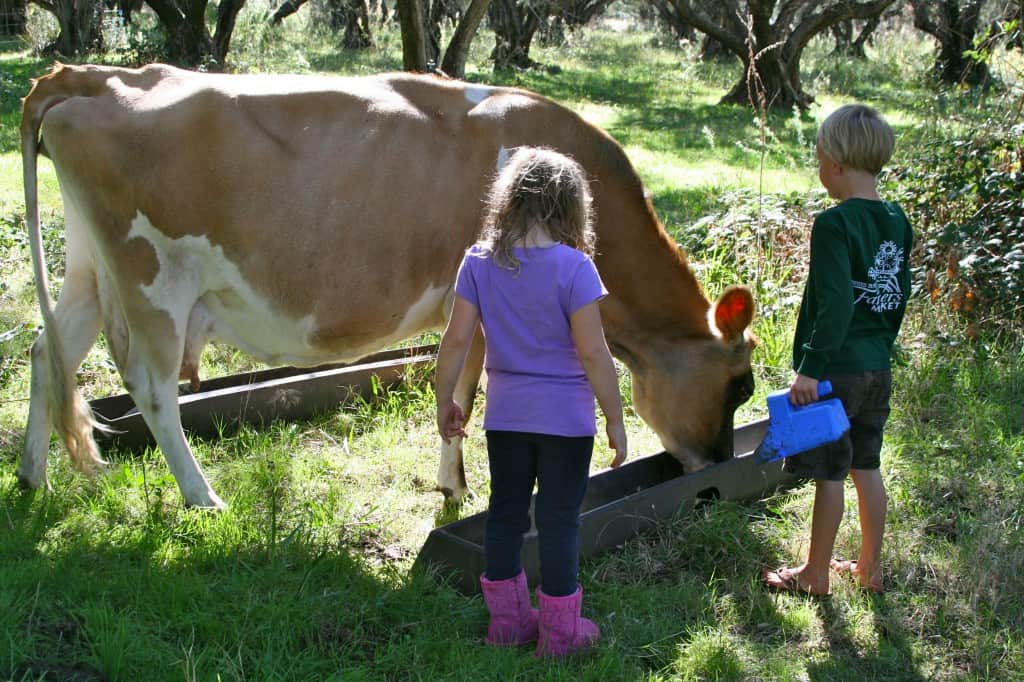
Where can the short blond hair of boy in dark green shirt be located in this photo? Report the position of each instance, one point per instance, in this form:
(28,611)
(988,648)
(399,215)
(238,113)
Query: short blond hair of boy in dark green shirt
(858,137)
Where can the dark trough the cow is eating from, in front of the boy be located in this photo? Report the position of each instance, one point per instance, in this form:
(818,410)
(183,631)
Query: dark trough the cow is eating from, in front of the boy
(620,504)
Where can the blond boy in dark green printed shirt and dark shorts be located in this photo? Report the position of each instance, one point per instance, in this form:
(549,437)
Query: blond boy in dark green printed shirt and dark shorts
(854,304)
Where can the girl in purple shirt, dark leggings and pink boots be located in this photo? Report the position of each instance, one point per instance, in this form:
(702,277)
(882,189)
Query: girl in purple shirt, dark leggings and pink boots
(533,286)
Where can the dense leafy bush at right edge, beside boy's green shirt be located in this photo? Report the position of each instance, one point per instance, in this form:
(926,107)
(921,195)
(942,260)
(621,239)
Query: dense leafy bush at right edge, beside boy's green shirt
(965,197)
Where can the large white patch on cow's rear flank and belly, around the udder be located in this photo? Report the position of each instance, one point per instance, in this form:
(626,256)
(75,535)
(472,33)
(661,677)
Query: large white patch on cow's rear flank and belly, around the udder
(192,269)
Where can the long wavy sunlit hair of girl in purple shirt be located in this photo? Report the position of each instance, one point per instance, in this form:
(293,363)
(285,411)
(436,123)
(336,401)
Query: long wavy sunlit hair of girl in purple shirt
(538,187)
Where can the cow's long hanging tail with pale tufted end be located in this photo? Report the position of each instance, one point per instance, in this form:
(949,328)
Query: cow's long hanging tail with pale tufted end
(70,414)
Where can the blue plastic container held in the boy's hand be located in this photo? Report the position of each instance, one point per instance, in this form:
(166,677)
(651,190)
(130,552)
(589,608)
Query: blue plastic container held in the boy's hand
(797,430)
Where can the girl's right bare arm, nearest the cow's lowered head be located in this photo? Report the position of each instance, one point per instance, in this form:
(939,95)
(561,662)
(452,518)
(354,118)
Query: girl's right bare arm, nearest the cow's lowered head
(588,335)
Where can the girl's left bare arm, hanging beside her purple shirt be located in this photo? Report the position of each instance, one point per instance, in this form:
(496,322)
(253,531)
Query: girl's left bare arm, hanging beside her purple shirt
(451,358)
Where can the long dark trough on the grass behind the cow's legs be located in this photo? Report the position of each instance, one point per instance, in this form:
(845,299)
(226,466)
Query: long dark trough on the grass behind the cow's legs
(261,398)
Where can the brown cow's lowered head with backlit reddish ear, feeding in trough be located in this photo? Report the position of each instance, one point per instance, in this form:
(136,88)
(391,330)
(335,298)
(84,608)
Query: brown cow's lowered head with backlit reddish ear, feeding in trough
(688,389)
